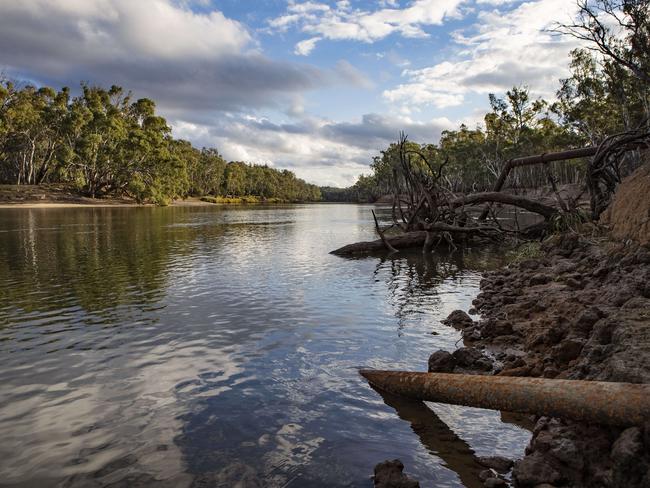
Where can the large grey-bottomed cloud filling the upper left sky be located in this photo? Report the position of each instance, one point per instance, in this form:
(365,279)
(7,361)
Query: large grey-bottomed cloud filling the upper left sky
(186,61)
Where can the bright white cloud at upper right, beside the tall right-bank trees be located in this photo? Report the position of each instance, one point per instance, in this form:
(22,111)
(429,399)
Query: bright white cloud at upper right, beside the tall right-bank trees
(503,49)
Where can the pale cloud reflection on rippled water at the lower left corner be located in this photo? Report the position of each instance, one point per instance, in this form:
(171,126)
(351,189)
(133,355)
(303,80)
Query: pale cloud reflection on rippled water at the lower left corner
(118,417)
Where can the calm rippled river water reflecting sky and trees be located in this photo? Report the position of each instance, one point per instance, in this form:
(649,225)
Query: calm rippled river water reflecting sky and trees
(214,346)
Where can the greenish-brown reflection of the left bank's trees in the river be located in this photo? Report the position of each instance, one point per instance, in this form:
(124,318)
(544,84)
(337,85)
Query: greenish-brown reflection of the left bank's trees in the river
(96,259)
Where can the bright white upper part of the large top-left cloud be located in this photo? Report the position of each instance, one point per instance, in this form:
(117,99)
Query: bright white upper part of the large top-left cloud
(155,28)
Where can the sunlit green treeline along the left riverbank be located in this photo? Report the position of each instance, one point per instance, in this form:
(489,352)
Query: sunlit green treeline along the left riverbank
(105,144)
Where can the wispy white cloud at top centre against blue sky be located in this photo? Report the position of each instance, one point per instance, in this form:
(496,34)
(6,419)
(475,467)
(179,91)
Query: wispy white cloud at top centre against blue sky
(341,22)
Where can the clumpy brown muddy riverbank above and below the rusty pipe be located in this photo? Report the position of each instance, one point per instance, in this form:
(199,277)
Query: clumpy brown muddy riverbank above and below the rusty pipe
(579,311)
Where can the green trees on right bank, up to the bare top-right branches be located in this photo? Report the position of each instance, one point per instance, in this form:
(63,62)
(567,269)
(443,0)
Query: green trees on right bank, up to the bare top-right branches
(607,92)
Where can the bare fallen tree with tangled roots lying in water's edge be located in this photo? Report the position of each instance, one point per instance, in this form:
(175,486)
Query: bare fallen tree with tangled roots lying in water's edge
(428,213)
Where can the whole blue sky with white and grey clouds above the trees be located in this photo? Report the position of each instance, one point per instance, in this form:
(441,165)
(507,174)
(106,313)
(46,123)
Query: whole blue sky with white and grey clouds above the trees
(317,87)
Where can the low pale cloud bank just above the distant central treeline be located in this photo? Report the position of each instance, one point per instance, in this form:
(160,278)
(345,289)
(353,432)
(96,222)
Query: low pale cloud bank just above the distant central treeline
(319,150)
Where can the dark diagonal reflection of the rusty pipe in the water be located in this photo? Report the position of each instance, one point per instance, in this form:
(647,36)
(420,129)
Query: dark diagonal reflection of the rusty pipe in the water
(437,438)
